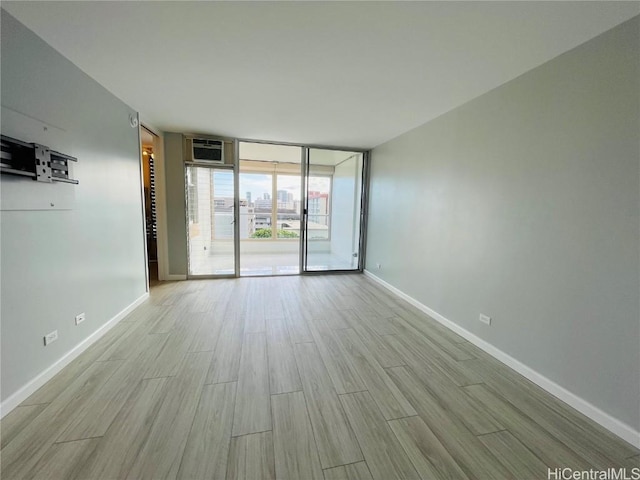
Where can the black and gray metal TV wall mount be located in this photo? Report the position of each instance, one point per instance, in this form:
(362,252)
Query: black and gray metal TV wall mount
(35,161)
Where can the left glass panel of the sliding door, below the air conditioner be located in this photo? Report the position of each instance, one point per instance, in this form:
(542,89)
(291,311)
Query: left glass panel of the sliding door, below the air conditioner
(210,229)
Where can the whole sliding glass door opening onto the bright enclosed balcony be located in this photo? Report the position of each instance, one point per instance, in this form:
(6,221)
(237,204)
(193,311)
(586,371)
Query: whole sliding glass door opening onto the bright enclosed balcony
(277,210)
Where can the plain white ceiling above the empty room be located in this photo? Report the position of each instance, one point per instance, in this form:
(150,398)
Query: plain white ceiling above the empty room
(351,74)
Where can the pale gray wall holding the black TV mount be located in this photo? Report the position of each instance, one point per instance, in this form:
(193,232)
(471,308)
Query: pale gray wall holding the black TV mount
(87,253)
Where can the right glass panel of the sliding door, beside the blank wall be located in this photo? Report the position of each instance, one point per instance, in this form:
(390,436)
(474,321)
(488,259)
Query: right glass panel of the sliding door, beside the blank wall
(333,192)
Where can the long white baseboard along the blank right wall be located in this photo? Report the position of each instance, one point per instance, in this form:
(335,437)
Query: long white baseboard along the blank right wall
(621,429)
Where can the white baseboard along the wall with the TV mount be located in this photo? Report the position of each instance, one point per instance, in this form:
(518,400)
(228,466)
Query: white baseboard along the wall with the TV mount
(23,393)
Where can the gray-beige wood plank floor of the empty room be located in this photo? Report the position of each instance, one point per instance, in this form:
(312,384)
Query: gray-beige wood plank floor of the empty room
(323,377)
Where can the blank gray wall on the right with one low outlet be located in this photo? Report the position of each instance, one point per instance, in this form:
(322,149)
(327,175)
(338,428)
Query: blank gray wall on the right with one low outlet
(523,204)
